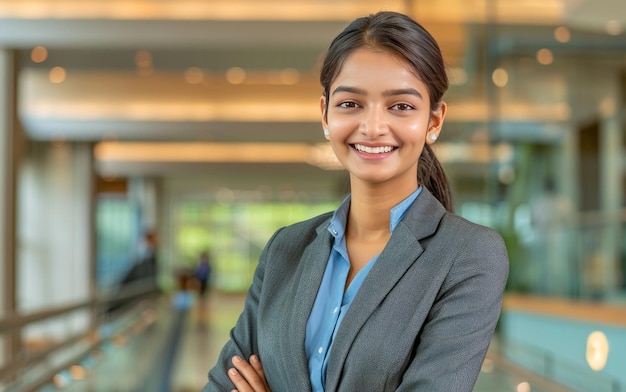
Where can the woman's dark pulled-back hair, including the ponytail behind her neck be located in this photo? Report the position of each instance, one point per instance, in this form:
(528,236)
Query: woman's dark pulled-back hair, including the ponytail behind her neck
(402,36)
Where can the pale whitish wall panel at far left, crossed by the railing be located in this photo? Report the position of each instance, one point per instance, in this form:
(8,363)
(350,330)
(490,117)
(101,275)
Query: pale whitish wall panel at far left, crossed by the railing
(53,229)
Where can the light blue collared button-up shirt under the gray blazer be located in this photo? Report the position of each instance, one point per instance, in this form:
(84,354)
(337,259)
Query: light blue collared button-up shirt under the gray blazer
(332,303)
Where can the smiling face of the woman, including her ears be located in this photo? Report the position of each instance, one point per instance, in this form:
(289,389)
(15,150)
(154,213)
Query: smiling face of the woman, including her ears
(379,117)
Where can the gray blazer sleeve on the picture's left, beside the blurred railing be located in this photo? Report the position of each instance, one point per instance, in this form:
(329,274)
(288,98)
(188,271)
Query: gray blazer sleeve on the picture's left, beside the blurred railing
(243,337)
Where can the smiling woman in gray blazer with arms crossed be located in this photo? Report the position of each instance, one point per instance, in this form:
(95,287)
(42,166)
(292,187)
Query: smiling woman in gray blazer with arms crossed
(392,291)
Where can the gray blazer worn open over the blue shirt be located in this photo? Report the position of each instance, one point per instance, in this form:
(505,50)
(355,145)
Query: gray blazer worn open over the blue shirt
(422,320)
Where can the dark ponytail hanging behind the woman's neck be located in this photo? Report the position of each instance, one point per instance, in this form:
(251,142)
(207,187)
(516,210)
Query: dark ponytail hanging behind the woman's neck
(431,175)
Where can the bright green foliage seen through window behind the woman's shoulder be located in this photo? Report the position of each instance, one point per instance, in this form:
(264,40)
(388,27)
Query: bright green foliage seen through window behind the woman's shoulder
(234,234)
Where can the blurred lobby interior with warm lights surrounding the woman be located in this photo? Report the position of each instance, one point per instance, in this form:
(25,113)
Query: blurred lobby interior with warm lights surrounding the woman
(137,134)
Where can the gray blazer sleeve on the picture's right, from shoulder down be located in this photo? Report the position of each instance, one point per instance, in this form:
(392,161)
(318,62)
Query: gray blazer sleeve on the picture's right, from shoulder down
(456,335)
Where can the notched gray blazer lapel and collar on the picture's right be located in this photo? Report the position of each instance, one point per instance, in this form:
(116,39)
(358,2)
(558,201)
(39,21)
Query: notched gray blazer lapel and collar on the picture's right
(402,251)
